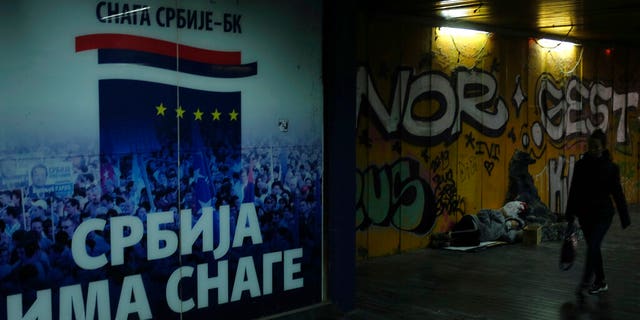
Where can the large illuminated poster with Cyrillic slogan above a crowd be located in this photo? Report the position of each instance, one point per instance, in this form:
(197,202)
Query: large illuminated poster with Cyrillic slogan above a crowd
(160,161)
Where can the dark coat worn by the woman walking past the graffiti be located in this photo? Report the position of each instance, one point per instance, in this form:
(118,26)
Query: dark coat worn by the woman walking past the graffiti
(595,182)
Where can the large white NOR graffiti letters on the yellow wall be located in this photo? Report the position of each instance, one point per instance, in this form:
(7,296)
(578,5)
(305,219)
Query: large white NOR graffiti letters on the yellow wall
(472,98)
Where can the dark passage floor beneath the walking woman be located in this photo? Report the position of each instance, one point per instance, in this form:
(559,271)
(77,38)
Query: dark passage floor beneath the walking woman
(506,282)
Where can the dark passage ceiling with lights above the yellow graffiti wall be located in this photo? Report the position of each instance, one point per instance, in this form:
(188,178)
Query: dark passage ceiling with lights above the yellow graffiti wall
(609,22)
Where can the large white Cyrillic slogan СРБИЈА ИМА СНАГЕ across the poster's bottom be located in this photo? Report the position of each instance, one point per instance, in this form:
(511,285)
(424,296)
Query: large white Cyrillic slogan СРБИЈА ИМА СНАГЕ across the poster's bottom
(128,231)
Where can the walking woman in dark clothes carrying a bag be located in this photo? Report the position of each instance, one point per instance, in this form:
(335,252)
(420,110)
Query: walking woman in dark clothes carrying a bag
(596,180)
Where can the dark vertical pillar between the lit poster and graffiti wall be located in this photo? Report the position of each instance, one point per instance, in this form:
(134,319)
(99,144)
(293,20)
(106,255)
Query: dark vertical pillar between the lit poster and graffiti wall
(339,93)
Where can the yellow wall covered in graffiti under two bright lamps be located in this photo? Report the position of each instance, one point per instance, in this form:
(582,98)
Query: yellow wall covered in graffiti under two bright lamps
(440,115)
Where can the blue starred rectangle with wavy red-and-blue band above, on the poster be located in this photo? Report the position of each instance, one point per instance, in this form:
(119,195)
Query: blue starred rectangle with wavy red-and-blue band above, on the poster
(179,136)
